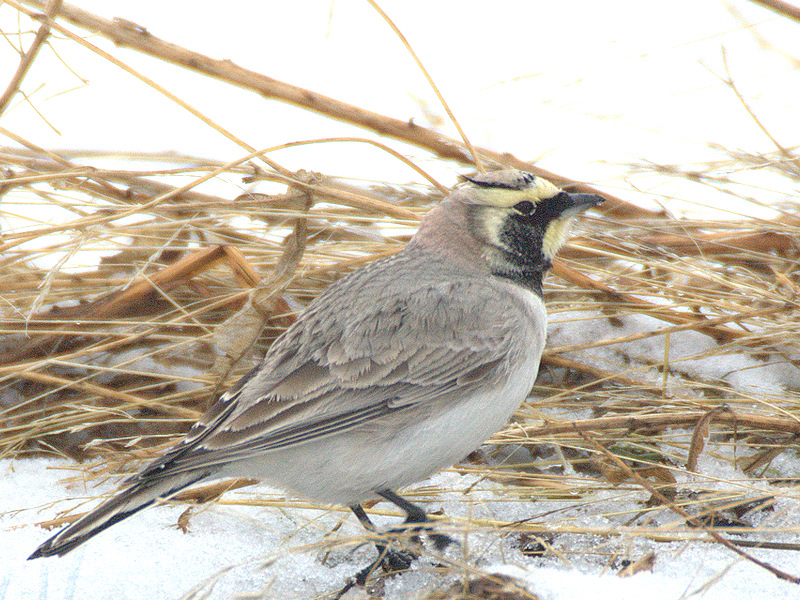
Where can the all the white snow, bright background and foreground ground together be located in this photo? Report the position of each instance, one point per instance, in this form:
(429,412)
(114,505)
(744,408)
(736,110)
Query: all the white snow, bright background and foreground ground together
(587,88)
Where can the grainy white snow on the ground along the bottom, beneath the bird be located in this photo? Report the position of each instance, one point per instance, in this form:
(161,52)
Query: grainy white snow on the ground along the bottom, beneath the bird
(233,551)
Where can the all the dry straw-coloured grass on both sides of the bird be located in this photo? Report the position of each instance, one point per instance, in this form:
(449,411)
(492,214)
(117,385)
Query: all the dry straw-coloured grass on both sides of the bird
(110,360)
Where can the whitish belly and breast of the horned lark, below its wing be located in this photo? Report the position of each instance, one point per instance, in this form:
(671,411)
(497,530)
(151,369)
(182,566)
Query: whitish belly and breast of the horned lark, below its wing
(398,450)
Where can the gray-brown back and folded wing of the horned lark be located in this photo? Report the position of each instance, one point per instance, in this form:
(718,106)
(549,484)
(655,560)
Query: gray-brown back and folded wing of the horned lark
(344,363)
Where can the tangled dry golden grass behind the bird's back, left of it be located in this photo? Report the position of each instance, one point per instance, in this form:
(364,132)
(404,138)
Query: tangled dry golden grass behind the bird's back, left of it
(125,351)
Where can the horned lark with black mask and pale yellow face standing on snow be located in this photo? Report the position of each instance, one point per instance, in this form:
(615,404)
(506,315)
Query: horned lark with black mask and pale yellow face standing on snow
(394,372)
